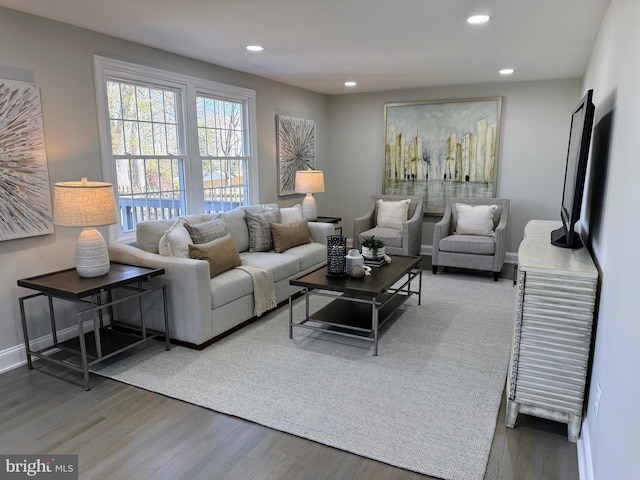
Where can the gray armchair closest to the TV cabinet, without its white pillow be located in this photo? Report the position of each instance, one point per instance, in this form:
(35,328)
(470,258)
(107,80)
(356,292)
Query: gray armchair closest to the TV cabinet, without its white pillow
(476,252)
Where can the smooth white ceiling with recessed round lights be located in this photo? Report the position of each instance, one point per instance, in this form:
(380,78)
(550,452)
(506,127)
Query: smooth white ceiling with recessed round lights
(380,44)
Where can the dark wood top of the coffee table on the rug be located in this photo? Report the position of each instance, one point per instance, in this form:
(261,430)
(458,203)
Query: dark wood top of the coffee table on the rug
(376,284)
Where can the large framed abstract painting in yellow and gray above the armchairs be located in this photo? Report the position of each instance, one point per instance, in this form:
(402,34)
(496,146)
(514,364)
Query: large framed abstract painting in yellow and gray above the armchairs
(442,149)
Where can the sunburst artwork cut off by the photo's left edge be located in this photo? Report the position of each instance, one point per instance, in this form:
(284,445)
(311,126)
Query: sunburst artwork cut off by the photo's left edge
(25,197)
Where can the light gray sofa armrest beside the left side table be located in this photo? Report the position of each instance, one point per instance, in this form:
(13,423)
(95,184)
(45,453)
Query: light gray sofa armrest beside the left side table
(188,289)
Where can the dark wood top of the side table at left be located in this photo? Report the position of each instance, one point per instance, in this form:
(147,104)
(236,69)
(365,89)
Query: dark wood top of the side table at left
(68,284)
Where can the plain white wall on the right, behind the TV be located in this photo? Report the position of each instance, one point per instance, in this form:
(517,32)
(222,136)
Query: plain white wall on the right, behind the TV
(612,223)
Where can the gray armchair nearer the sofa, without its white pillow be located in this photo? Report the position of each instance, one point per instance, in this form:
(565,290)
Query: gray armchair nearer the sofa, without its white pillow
(404,241)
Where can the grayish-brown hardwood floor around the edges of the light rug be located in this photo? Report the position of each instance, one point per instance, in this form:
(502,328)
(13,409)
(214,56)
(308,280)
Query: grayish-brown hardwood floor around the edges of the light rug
(123,432)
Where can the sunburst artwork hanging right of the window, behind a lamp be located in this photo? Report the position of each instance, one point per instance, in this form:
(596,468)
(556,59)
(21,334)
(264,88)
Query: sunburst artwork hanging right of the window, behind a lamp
(296,147)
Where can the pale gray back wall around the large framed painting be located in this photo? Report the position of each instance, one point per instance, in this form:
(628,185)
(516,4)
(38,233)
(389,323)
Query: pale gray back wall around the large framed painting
(533,144)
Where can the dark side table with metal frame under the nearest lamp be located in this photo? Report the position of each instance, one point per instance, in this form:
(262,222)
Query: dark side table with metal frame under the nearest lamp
(105,340)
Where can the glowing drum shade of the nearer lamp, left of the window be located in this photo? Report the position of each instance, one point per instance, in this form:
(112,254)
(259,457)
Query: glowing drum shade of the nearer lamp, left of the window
(83,204)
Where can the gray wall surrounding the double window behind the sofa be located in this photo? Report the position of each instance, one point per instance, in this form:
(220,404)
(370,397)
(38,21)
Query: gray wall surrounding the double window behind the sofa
(61,59)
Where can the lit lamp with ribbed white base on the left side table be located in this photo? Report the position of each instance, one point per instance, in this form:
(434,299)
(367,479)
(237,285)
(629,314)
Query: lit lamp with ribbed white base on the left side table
(89,205)
